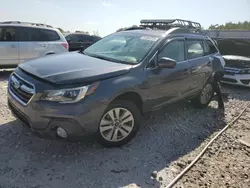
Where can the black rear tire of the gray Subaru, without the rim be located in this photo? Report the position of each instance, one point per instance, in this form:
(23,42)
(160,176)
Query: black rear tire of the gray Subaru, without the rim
(197,101)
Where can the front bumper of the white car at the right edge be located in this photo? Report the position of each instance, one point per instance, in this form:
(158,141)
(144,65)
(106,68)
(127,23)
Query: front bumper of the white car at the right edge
(237,79)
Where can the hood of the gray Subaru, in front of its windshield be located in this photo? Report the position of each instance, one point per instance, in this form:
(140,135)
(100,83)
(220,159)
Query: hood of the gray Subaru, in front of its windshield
(73,68)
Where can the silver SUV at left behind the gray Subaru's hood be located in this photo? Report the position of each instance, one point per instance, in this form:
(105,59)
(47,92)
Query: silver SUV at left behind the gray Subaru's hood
(20,41)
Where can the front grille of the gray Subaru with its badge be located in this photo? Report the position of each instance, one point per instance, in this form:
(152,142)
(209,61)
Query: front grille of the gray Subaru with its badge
(21,88)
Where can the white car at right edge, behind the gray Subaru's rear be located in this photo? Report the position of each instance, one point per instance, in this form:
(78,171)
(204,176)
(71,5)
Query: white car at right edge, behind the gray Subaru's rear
(237,70)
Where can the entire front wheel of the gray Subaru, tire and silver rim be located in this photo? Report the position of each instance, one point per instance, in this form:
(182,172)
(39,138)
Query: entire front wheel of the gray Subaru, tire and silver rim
(111,130)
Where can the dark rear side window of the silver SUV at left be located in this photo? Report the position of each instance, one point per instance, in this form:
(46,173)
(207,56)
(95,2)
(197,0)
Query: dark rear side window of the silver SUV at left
(36,34)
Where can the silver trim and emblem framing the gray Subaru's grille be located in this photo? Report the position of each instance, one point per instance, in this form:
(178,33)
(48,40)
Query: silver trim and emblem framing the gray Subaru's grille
(23,88)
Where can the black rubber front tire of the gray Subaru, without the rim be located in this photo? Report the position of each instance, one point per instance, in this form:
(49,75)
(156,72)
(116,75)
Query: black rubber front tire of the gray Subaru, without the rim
(131,107)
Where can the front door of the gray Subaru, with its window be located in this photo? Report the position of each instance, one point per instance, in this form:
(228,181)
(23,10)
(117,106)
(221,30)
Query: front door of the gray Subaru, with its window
(167,85)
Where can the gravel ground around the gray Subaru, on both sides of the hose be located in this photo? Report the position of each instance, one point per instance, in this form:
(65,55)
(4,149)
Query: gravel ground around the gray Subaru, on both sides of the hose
(168,140)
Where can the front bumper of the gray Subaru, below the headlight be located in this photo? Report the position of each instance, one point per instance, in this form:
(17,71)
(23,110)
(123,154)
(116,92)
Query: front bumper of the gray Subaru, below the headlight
(43,118)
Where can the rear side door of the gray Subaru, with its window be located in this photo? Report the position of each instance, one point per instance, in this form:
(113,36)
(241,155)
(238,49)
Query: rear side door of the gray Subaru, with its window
(200,64)
